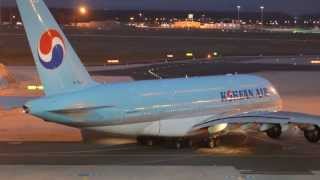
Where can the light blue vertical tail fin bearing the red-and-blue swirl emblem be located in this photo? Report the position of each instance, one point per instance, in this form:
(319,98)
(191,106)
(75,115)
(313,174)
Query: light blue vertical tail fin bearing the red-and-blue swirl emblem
(59,67)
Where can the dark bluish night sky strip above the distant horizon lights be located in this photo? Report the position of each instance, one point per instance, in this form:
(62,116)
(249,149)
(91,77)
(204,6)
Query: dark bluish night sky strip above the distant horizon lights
(293,7)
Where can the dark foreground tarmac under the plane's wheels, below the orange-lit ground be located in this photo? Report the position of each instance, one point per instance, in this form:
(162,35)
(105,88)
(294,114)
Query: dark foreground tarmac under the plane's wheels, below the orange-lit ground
(240,156)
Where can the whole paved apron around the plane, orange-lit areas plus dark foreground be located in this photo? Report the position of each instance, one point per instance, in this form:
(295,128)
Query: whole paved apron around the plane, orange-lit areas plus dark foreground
(31,148)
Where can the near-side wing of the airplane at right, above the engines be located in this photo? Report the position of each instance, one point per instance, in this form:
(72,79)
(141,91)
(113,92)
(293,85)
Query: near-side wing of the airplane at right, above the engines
(261,118)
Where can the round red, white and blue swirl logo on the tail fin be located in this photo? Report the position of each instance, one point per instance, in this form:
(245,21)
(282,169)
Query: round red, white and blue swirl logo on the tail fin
(51,49)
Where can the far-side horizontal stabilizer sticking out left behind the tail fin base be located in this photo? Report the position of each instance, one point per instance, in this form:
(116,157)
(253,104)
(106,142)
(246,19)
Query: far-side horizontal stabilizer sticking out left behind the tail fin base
(10,102)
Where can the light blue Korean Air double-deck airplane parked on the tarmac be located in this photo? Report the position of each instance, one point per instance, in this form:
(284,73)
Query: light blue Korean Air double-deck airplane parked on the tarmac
(176,110)
